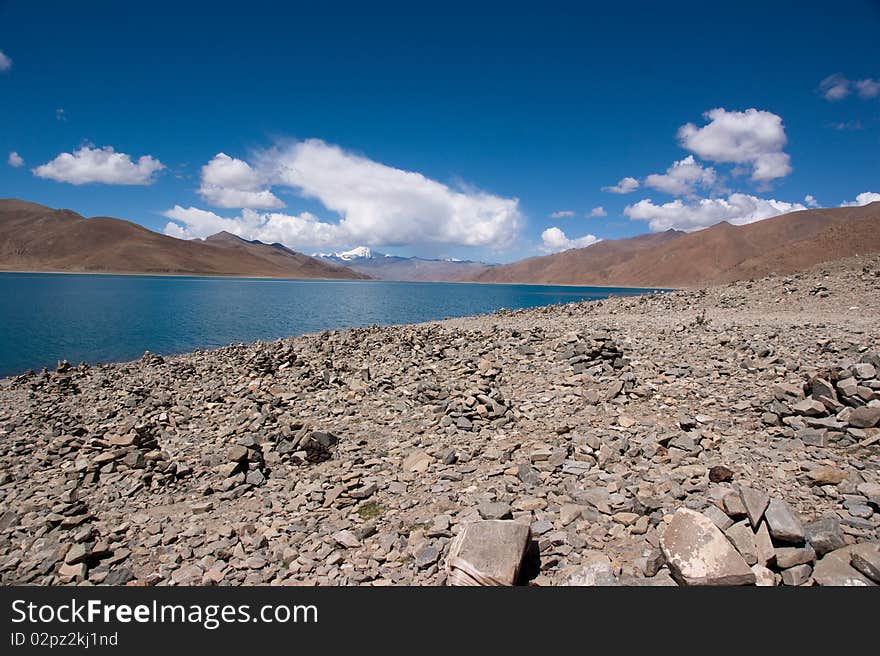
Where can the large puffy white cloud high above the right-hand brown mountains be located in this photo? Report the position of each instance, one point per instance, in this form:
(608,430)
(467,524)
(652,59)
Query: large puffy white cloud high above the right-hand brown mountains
(753,137)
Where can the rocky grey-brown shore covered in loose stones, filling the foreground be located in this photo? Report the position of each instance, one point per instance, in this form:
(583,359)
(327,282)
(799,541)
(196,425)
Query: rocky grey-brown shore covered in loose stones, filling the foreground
(728,435)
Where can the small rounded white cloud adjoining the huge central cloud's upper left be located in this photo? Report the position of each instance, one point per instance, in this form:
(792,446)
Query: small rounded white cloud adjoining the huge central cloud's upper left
(231,182)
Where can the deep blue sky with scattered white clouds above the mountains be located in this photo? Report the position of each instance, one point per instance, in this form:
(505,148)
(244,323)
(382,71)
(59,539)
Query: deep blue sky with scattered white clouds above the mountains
(454,131)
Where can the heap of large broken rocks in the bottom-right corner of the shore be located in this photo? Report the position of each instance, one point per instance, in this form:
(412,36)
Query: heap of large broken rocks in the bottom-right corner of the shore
(751,538)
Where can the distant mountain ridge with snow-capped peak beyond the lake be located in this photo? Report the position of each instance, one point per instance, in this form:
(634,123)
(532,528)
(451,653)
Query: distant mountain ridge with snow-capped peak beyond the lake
(394,267)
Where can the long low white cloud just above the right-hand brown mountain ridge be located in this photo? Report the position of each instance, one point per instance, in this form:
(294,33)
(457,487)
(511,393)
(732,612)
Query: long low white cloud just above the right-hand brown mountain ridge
(737,209)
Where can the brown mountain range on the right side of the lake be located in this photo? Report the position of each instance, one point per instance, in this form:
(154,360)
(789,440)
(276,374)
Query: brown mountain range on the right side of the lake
(719,254)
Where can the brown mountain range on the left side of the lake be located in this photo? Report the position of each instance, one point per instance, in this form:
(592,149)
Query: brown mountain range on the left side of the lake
(37,238)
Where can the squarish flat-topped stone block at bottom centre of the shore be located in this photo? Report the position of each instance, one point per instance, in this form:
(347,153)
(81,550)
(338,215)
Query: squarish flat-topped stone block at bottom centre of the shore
(487,553)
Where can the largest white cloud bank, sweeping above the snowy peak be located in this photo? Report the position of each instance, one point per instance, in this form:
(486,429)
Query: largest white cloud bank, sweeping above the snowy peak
(378,205)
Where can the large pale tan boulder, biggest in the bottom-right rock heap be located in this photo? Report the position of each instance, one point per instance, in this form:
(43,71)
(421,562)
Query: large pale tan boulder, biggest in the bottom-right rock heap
(698,553)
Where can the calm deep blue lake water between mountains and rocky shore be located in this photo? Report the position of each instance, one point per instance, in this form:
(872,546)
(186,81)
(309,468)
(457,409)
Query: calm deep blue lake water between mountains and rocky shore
(103,318)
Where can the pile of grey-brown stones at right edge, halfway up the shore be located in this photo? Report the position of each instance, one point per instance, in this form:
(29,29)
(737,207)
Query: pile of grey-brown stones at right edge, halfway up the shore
(839,406)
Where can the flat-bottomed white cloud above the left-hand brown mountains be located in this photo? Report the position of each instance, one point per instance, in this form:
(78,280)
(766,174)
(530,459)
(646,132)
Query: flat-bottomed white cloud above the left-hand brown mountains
(102,165)
